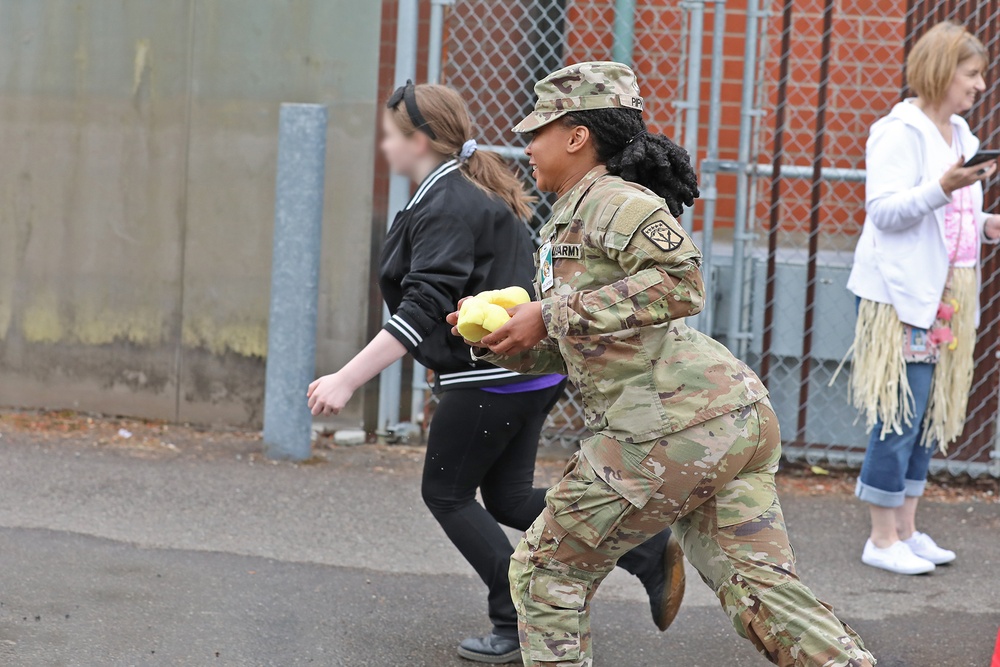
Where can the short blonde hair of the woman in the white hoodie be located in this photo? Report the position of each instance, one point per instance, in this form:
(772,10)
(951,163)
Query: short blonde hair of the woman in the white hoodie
(935,57)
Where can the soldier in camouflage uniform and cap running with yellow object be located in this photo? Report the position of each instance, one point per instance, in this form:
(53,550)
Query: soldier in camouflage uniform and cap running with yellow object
(684,435)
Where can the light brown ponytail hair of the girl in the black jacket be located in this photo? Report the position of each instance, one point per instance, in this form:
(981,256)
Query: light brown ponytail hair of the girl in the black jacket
(447,116)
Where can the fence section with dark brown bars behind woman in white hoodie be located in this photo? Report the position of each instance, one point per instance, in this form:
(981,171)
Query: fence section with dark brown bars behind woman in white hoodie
(843,69)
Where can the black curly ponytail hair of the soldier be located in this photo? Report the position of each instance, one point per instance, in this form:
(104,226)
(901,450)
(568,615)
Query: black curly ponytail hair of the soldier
(625,147)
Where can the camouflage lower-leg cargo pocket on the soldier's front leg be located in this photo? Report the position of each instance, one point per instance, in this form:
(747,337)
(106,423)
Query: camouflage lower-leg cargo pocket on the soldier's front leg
(555,616)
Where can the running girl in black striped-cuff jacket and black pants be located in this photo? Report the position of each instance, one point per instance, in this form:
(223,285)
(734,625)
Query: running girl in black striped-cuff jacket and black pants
(463,232)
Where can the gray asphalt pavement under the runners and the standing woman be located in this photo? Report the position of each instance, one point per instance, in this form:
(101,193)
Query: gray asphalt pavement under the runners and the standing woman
(207,555)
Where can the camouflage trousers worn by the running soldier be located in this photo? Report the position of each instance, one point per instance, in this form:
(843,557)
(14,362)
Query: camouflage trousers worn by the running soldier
(718,492)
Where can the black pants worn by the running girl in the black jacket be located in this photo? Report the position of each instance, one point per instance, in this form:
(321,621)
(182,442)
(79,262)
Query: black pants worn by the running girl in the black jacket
(489,441)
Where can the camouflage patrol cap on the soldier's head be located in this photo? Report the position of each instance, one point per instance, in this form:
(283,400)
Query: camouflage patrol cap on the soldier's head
(593,85)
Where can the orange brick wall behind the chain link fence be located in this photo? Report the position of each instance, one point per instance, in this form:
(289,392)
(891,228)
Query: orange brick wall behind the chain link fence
(490,60)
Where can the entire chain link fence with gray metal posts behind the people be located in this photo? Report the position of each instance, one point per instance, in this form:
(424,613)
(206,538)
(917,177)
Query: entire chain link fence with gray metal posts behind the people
(774,100)
